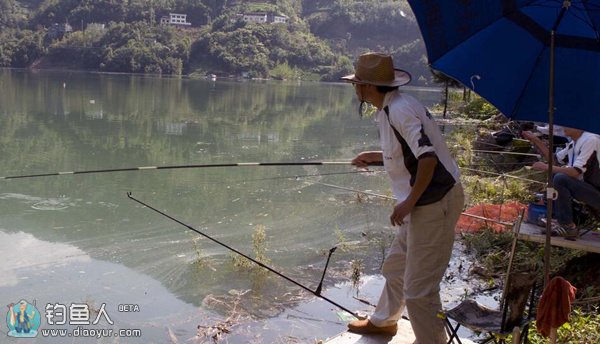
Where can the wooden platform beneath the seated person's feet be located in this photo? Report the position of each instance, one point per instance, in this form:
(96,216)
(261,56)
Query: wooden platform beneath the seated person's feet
(589,241)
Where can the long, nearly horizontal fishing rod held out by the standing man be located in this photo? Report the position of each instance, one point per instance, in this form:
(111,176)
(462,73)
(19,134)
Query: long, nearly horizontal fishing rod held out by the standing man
(172,167)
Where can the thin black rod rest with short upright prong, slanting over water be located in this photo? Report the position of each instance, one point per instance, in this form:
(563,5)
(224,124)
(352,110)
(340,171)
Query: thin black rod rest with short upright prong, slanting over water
(316,292)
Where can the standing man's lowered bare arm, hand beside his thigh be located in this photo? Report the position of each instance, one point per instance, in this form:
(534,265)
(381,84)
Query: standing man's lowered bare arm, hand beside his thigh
(425,170)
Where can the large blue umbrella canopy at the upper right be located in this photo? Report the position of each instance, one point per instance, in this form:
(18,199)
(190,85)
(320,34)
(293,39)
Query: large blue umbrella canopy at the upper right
(501,50)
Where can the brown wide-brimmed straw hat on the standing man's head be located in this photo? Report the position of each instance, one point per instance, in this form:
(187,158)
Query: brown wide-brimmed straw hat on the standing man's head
(377,69)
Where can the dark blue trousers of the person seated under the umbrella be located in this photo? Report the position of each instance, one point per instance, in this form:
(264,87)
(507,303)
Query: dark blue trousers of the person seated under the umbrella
(570,188)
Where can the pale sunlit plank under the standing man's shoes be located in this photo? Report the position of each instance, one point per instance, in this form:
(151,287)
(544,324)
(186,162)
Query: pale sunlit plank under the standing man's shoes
(405,335)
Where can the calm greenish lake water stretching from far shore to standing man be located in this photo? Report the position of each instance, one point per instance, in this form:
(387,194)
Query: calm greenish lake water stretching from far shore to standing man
(78,239)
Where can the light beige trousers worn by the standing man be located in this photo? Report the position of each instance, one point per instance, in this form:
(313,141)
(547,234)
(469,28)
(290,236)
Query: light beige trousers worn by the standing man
(415,265)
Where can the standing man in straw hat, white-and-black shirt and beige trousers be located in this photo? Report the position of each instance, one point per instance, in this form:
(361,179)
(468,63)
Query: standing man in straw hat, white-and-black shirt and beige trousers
(425,182)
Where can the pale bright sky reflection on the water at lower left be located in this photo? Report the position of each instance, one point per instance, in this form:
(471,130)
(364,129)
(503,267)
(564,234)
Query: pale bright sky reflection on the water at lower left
(50,273)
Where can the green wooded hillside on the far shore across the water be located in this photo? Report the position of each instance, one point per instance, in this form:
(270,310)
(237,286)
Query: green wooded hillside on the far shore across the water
(314,40)
